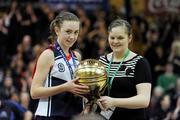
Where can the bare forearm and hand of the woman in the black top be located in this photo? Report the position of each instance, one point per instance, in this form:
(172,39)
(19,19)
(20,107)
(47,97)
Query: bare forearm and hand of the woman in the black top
(141,100)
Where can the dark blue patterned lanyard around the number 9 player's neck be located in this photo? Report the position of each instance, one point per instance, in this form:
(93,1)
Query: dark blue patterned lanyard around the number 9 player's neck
(65,59)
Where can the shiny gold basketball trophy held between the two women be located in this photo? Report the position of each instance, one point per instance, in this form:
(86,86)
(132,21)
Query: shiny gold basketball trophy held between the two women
(92,73)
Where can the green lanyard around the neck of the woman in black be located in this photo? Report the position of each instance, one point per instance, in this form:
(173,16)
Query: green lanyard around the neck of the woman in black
(110,81)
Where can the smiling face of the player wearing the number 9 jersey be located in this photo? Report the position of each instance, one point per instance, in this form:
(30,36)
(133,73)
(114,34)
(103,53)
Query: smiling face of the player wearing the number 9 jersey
(68,33)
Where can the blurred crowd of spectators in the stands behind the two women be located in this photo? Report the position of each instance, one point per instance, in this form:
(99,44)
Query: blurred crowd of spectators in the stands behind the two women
(24,32)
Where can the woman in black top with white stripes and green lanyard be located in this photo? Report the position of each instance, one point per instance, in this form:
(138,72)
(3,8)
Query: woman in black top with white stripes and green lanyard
(129,77)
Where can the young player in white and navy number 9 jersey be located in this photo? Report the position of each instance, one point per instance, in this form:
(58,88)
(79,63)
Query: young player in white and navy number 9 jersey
(53,83)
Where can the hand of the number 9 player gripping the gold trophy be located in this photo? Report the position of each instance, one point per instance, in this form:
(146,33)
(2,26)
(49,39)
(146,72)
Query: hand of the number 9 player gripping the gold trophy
(75,88)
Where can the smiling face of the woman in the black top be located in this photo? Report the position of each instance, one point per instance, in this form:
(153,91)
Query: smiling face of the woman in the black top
(119,39)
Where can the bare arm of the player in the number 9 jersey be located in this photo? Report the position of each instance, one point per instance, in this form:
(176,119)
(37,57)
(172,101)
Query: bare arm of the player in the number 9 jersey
(44,63)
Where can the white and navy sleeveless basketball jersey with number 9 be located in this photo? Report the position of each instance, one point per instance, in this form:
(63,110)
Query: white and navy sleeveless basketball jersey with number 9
(64,104)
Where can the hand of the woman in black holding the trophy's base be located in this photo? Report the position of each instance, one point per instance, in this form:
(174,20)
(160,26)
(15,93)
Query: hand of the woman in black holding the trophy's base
(105,102)
